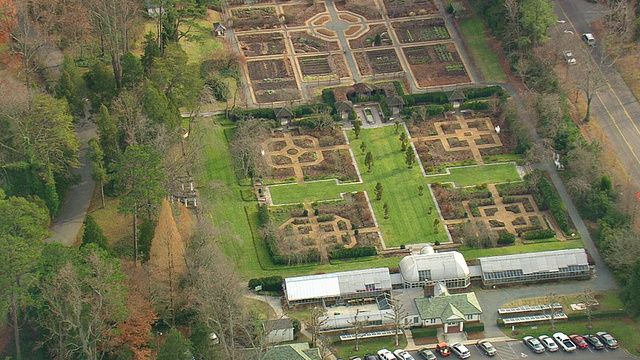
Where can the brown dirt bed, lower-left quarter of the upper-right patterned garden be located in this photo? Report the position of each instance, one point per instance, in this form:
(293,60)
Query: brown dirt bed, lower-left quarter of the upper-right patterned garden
(435,158)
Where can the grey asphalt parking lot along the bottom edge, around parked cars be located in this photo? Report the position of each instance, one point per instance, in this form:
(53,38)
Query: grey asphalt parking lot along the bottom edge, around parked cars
(516,350)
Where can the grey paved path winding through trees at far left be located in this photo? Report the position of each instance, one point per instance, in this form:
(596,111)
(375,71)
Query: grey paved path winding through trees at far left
(66,226)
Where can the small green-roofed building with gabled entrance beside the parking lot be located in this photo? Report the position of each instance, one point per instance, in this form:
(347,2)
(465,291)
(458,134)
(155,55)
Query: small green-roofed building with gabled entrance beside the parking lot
(451,311)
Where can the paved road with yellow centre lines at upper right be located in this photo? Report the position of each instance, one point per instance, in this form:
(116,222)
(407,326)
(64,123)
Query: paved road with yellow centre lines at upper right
(614,106)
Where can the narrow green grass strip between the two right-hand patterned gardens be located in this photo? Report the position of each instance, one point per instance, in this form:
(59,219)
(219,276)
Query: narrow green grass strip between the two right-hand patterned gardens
(469,176)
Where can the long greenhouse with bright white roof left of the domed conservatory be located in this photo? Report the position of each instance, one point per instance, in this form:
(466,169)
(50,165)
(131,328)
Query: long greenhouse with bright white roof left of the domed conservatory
(341,288)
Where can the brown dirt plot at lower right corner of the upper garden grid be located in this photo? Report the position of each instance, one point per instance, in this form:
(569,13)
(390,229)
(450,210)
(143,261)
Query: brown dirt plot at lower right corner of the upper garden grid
(436,65)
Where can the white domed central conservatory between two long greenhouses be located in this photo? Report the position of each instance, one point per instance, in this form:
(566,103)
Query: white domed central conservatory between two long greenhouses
(429,266)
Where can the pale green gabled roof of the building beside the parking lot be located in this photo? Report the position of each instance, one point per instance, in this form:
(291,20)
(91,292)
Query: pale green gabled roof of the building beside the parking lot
(448,307)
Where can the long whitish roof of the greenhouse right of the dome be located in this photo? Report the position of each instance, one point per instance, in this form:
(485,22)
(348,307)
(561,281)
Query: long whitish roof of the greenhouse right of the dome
(529,263)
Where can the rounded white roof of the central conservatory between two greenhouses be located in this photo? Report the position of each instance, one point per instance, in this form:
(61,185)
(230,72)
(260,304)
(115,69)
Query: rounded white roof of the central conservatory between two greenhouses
(443,266)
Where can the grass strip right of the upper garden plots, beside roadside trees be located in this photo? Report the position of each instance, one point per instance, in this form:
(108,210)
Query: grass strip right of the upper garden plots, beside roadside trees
(486,60)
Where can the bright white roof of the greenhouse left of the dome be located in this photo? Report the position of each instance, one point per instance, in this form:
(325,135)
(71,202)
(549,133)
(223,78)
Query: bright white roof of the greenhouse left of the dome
(336,284)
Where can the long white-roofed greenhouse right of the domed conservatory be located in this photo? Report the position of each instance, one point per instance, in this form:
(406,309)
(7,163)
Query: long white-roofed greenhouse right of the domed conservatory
(519,268)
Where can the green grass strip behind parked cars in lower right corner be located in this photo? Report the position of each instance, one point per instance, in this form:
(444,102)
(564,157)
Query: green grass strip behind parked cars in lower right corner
(627,332)
